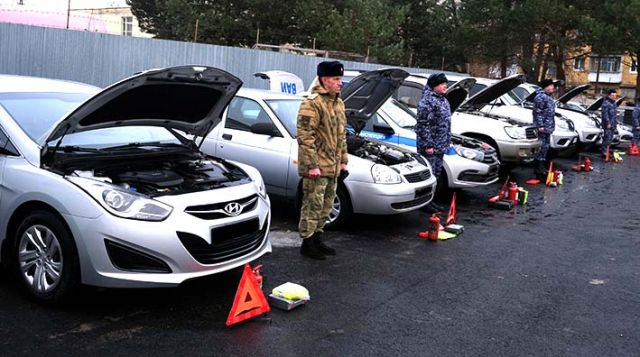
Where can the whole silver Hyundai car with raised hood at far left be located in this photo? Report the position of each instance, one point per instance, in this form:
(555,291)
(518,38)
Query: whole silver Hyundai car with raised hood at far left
(105,187)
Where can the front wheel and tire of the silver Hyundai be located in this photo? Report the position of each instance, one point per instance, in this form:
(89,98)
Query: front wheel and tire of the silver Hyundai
(45,258)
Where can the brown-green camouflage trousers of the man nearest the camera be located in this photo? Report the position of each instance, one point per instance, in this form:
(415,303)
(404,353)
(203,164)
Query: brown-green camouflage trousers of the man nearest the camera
(317,200)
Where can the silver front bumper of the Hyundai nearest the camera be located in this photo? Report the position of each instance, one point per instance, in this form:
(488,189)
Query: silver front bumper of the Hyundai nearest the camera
(220,244)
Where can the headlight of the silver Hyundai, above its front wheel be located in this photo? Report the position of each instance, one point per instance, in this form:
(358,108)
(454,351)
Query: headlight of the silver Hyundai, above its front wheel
(122,203)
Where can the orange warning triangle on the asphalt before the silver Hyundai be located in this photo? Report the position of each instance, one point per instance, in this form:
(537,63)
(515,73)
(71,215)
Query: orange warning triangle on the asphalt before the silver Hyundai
(249,301)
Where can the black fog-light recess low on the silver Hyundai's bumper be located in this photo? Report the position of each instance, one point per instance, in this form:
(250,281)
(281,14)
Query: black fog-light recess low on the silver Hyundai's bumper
(129,259)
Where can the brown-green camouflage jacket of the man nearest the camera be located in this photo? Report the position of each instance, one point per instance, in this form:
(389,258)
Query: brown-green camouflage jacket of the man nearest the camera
(322,136)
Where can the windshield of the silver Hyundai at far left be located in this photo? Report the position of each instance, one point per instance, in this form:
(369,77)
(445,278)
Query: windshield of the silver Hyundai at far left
(36,113)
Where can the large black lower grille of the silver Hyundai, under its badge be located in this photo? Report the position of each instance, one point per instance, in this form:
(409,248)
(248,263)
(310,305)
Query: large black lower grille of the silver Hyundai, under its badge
(228,242)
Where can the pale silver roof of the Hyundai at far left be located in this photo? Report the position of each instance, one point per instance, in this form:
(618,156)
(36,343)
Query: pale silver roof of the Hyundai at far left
(15,84)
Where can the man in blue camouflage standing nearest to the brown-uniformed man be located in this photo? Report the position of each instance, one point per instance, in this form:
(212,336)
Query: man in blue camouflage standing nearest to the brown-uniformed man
(433,127)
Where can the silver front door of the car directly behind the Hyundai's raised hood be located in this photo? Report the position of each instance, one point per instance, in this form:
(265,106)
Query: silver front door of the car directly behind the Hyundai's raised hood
(270,154)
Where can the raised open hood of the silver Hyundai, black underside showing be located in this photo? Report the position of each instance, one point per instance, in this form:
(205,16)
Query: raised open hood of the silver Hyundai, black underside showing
(186,98)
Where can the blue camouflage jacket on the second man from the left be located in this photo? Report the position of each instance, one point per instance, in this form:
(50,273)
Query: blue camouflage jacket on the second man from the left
(433,126)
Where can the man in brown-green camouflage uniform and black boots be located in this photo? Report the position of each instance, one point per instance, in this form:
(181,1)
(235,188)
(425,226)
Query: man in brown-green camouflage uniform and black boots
(322,155)
